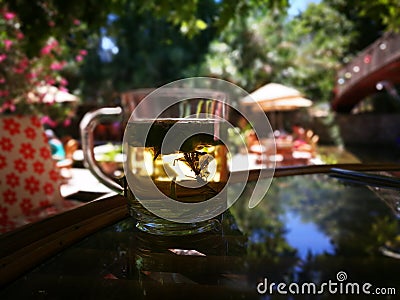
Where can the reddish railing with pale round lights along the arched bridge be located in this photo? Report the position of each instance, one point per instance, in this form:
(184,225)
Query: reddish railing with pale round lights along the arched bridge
(380,53)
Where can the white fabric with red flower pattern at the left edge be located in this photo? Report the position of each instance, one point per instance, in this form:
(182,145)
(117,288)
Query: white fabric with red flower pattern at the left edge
(29,180)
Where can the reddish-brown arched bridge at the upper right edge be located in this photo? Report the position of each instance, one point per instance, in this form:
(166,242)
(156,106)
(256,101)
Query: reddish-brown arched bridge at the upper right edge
(376,66)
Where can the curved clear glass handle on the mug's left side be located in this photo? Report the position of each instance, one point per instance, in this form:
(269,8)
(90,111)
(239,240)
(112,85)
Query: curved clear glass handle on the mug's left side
(87,126)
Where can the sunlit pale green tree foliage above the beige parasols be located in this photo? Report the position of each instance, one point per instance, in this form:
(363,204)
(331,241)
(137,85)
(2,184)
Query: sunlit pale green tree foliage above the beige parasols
(303,52)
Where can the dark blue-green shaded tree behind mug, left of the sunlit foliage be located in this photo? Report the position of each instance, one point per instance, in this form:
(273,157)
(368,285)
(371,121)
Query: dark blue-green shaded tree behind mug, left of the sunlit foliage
(151,51)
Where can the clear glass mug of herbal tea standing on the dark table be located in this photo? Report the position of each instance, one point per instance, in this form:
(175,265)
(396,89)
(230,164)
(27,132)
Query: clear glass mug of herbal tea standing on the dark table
(177,156)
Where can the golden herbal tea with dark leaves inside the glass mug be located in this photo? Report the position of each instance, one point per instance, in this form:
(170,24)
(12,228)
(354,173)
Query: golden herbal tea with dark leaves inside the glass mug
(183,158)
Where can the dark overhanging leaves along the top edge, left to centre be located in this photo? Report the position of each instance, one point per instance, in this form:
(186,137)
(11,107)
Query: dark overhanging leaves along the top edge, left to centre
(92,15)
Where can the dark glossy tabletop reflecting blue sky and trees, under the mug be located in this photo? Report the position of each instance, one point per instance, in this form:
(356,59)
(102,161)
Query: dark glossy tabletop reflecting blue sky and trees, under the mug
(307,229)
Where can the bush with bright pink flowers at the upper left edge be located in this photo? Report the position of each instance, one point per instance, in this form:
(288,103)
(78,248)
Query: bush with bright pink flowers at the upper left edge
(25,81)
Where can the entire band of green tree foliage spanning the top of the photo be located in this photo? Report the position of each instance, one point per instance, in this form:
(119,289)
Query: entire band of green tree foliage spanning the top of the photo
(250,42)
